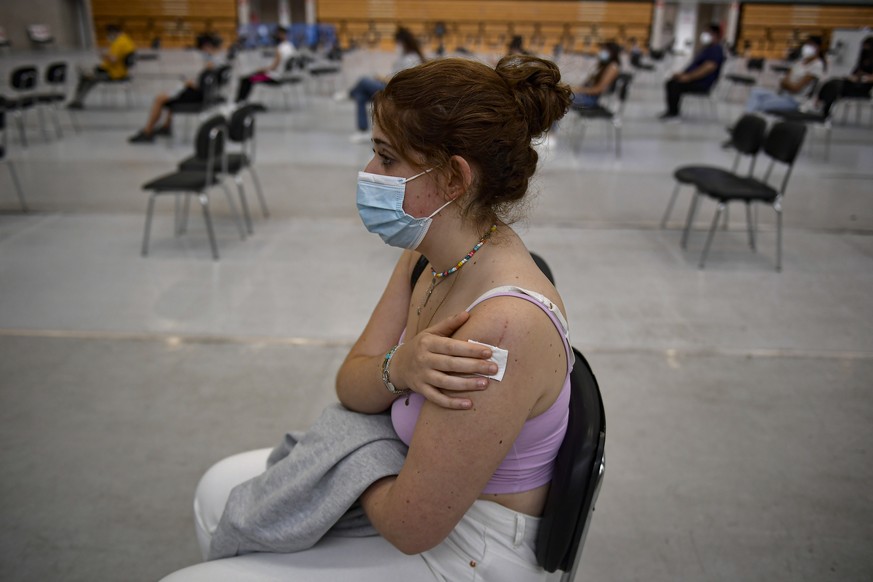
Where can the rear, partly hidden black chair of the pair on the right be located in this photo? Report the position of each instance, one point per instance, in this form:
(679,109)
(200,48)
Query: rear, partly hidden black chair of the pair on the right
(747,137)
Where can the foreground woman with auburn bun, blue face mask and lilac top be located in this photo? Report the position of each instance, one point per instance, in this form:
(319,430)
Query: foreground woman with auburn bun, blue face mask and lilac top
(467,349)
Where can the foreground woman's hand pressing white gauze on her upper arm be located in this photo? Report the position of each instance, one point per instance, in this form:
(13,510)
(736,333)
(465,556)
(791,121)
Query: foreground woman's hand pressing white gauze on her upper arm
(434,364)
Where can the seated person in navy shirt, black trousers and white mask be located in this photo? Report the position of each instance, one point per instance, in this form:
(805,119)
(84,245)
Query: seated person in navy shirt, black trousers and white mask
(699,76)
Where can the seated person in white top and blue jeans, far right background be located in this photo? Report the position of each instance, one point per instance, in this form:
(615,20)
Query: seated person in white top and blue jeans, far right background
(795,86)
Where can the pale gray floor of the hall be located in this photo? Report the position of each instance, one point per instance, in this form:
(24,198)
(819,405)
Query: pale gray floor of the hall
(738,399)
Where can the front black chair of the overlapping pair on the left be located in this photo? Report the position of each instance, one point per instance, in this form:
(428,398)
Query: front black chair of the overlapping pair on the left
(210,147)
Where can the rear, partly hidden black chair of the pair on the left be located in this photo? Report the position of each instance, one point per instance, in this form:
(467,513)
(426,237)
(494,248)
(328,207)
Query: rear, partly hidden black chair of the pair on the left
(241,130)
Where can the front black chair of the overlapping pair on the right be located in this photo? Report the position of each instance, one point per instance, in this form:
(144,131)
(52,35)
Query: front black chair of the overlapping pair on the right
(782,144)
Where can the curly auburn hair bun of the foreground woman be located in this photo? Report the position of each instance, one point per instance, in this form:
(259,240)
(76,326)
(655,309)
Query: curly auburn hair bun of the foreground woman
(536,85)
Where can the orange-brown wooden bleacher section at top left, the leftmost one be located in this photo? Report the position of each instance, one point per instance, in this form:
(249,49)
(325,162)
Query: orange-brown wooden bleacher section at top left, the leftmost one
(176,22)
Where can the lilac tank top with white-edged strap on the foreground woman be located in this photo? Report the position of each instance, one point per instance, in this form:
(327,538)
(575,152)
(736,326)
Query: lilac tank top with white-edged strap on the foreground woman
(530,461)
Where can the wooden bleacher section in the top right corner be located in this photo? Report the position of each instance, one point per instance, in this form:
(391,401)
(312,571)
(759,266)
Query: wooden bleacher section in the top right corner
(773,30)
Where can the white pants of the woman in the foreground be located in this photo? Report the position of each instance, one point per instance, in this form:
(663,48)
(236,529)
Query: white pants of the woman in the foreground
(490,544)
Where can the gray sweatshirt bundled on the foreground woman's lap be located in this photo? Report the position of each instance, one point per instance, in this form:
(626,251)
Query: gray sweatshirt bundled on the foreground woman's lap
(311,486)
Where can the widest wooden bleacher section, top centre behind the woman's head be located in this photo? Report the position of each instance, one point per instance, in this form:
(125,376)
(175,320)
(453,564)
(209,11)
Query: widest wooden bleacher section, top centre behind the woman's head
(488,25)
